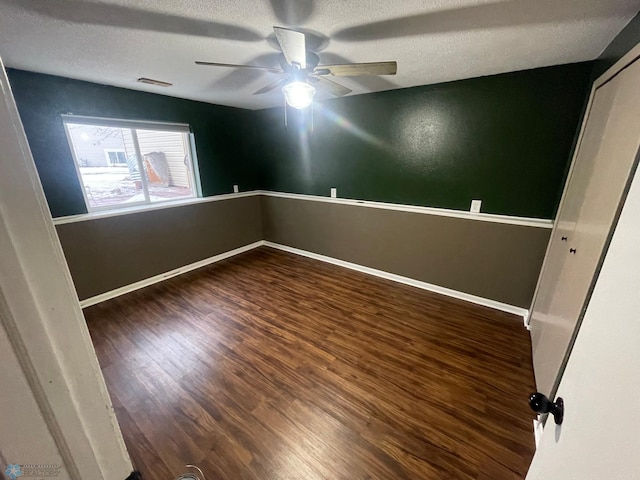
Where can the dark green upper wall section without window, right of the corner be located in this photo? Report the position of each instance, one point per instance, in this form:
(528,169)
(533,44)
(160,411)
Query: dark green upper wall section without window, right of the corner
(505,139)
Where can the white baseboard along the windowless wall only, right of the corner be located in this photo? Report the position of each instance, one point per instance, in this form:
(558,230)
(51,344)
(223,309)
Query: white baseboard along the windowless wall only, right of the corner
(522,312)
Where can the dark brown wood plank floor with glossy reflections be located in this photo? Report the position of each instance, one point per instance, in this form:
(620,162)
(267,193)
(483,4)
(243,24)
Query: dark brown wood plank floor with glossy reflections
(274,366)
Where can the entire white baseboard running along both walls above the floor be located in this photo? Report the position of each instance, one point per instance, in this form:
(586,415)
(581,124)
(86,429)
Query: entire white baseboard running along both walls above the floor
(353,266)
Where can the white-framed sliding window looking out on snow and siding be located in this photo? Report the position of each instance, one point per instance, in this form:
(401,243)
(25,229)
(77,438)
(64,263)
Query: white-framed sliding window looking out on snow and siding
(122,163)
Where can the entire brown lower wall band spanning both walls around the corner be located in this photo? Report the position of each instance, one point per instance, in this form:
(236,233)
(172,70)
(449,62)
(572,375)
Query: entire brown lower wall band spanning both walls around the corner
(492,260)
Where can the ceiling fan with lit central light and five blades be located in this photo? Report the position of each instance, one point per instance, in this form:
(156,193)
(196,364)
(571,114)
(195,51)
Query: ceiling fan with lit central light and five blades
(301,71)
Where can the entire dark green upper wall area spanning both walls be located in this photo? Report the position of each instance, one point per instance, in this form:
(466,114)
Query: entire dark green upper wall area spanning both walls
(505,139)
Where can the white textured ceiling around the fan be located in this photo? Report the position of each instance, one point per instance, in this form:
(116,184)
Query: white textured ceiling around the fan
(114,42)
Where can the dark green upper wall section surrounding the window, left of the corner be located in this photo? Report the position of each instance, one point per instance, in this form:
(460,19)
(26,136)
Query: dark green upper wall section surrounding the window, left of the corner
(220,132)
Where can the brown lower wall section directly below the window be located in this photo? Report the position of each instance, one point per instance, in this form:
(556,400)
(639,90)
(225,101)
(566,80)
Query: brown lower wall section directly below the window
(108,253)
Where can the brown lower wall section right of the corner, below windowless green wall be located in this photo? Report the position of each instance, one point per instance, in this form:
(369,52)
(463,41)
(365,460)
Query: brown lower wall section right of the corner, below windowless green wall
(492,260)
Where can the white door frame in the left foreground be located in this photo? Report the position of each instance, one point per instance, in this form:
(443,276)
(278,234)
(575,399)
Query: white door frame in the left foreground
(40,311)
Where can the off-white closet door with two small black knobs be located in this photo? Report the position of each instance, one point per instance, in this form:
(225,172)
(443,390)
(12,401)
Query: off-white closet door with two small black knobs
(590,204)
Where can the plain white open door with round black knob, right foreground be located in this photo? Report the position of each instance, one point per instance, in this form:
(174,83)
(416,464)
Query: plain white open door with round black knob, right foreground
(600,436)
